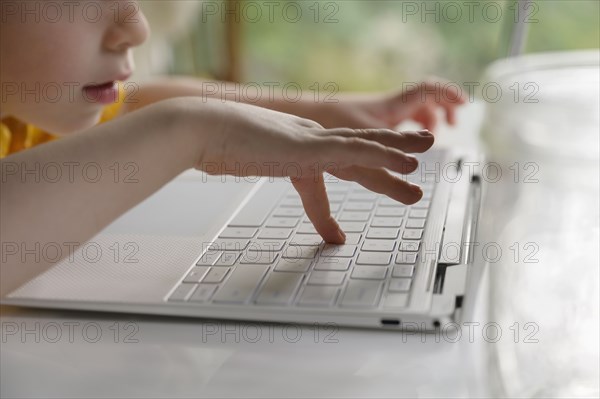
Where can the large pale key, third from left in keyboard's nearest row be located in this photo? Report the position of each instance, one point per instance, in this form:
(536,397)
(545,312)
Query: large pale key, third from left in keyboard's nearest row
(241,284)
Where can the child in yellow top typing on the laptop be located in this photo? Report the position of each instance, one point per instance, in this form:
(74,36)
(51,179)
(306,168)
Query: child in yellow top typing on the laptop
(60,75)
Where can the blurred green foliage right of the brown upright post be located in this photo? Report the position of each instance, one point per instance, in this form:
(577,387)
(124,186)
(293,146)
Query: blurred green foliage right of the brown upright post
(366,45)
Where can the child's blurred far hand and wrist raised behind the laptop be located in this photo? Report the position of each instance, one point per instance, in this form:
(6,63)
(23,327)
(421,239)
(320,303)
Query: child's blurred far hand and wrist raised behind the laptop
(419,103)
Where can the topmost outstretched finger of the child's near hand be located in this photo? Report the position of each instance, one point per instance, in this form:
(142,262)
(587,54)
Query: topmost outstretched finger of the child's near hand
(404,141)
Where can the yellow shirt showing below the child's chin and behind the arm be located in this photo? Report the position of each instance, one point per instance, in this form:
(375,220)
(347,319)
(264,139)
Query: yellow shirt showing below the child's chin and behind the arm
(16,135)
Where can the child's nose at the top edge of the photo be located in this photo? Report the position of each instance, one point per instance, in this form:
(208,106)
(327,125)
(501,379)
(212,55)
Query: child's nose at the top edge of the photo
(129,27)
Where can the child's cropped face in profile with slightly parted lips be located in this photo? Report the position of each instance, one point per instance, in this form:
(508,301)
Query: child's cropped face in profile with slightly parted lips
(57,55)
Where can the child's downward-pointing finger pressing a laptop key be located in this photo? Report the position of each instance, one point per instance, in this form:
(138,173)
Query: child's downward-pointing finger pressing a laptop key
(316,204)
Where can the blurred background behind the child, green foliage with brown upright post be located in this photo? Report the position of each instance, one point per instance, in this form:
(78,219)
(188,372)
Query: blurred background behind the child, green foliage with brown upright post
(361,45)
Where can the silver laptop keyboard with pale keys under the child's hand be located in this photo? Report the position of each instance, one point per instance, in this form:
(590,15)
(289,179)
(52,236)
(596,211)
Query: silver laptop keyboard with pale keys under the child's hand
(277,258)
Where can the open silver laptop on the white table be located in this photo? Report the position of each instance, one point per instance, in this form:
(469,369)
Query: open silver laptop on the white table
(243,249)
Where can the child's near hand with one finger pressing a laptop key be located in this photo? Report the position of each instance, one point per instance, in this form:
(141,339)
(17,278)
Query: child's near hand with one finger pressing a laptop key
(253,141)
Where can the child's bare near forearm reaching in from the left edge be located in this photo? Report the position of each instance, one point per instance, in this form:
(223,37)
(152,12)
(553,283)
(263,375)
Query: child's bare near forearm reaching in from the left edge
(66,191)
